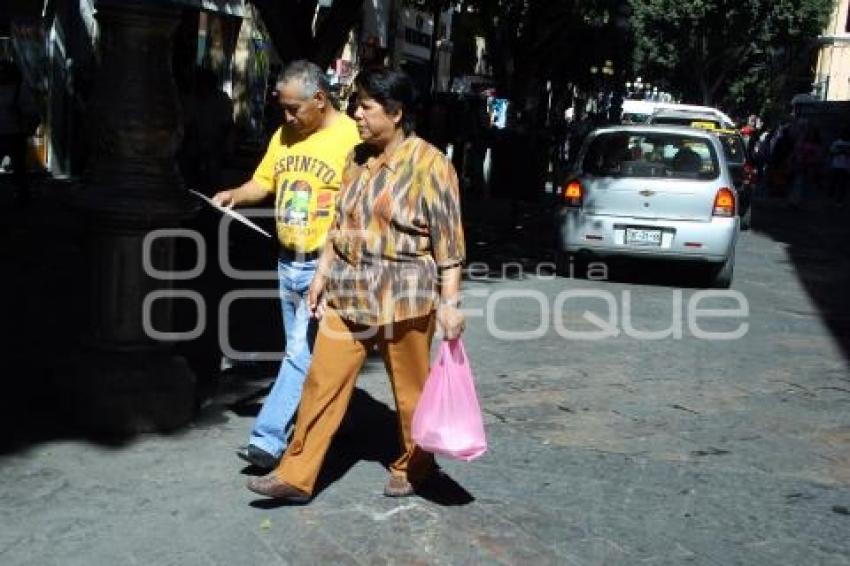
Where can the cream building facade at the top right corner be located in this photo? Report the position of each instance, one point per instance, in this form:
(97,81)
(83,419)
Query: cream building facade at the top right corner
(832,79)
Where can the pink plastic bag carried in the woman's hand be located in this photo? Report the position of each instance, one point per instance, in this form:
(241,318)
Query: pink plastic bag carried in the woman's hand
(447,420)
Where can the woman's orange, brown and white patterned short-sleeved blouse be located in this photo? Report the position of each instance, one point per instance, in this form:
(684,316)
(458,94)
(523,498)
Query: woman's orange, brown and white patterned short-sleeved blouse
(398,224)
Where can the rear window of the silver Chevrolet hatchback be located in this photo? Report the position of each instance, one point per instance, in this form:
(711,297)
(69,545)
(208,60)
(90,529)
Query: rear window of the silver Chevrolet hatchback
(633,154)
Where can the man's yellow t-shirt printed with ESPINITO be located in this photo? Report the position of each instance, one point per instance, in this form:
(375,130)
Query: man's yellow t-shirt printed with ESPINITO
(305,176)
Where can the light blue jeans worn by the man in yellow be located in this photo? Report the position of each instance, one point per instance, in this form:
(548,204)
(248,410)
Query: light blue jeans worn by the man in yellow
(271,427)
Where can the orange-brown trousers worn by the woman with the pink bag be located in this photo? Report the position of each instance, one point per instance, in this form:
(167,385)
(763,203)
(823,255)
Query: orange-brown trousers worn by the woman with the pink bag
(340,350)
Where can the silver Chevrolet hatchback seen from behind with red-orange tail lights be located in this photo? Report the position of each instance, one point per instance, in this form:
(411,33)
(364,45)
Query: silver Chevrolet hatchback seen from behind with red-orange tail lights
(661,192)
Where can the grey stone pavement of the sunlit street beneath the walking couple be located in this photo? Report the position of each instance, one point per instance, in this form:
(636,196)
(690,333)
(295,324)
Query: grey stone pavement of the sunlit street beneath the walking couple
(617,451)
